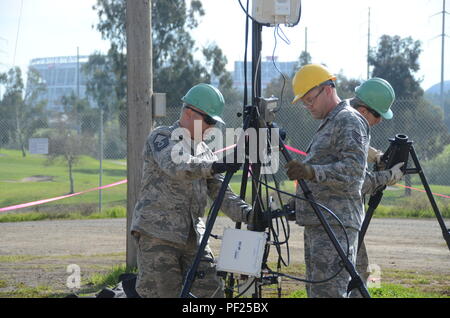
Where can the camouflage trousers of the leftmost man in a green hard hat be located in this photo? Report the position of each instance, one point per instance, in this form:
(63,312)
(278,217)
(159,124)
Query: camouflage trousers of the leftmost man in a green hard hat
(162,266)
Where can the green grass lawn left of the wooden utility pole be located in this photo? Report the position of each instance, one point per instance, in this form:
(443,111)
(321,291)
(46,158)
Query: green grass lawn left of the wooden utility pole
(15,189)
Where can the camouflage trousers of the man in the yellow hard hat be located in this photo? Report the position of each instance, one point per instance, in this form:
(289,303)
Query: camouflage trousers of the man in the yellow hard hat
(322,261)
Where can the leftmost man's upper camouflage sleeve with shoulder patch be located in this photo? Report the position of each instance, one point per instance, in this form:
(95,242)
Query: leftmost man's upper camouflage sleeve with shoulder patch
(174,159)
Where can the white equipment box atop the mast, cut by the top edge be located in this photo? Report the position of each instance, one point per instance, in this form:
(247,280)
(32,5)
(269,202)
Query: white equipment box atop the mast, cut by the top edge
(276,11)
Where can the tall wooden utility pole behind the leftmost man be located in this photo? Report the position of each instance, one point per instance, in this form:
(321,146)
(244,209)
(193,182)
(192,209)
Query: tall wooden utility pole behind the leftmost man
(139,99)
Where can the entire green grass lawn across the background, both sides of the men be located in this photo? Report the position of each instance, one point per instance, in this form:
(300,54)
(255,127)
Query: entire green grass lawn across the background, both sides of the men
(15,188)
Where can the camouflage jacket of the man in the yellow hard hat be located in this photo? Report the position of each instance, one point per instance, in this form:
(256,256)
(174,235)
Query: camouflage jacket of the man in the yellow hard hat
(338,155)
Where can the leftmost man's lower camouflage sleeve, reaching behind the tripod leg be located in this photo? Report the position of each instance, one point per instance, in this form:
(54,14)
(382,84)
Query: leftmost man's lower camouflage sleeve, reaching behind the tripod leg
(233,206)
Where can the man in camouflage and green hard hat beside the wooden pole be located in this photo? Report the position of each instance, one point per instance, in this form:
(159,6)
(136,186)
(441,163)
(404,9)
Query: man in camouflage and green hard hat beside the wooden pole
(179,173)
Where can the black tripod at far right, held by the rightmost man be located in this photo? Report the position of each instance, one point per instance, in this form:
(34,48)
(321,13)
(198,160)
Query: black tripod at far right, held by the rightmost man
(399,151)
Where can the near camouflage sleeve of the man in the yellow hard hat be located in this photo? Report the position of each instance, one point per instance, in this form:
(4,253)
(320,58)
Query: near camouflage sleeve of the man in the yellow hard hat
(351,146)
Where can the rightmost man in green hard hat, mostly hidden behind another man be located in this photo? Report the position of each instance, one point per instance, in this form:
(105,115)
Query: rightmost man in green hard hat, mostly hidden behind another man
(373,99)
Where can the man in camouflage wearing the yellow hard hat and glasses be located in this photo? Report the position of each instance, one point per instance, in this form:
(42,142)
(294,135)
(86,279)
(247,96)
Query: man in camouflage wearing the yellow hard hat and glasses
(334,171)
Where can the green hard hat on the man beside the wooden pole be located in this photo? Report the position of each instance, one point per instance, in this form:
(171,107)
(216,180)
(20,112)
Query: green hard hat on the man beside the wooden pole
(206,98)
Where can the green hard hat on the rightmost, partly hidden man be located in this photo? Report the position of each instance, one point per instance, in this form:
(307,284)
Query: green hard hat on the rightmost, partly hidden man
(378,94)
